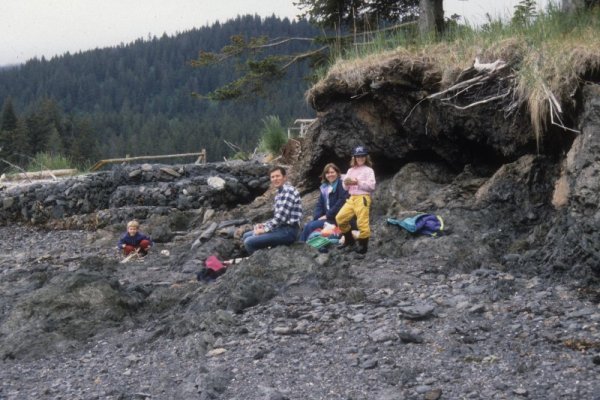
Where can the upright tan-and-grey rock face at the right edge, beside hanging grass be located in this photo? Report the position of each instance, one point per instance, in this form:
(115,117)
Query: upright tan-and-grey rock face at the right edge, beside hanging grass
(572,242)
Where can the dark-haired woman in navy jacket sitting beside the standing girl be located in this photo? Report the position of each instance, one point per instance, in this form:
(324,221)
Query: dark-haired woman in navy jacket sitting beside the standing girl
(332,198)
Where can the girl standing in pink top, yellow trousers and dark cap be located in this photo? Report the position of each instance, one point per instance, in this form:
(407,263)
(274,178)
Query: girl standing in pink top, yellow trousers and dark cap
(360,183)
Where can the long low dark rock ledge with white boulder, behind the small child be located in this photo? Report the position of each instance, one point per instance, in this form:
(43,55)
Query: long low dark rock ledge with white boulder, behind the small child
(143,189)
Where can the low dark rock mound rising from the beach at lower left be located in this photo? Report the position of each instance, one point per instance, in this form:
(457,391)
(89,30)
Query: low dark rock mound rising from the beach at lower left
(68,309)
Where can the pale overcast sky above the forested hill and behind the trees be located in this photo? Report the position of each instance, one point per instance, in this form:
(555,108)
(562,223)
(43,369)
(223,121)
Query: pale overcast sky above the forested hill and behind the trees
(36,28)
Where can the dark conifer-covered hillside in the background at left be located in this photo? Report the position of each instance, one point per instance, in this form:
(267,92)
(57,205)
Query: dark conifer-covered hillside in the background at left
(137,98)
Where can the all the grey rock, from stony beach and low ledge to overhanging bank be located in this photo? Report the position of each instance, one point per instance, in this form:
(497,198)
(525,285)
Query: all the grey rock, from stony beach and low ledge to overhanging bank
(503,305)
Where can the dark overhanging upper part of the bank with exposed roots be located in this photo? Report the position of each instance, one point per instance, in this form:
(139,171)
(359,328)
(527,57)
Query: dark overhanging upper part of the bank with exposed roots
(397,112)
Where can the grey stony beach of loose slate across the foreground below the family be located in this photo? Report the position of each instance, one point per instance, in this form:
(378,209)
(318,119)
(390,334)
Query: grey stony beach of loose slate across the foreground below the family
(290,323)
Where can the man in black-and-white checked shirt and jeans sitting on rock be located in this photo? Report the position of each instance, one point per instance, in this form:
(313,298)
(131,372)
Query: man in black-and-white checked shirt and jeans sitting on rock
(284,226)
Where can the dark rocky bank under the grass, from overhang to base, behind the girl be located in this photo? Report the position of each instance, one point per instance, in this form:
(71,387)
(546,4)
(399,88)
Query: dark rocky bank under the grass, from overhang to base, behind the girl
(454,148)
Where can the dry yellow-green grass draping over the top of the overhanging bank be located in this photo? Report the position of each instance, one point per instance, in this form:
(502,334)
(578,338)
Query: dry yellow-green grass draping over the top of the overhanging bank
(550,55)
